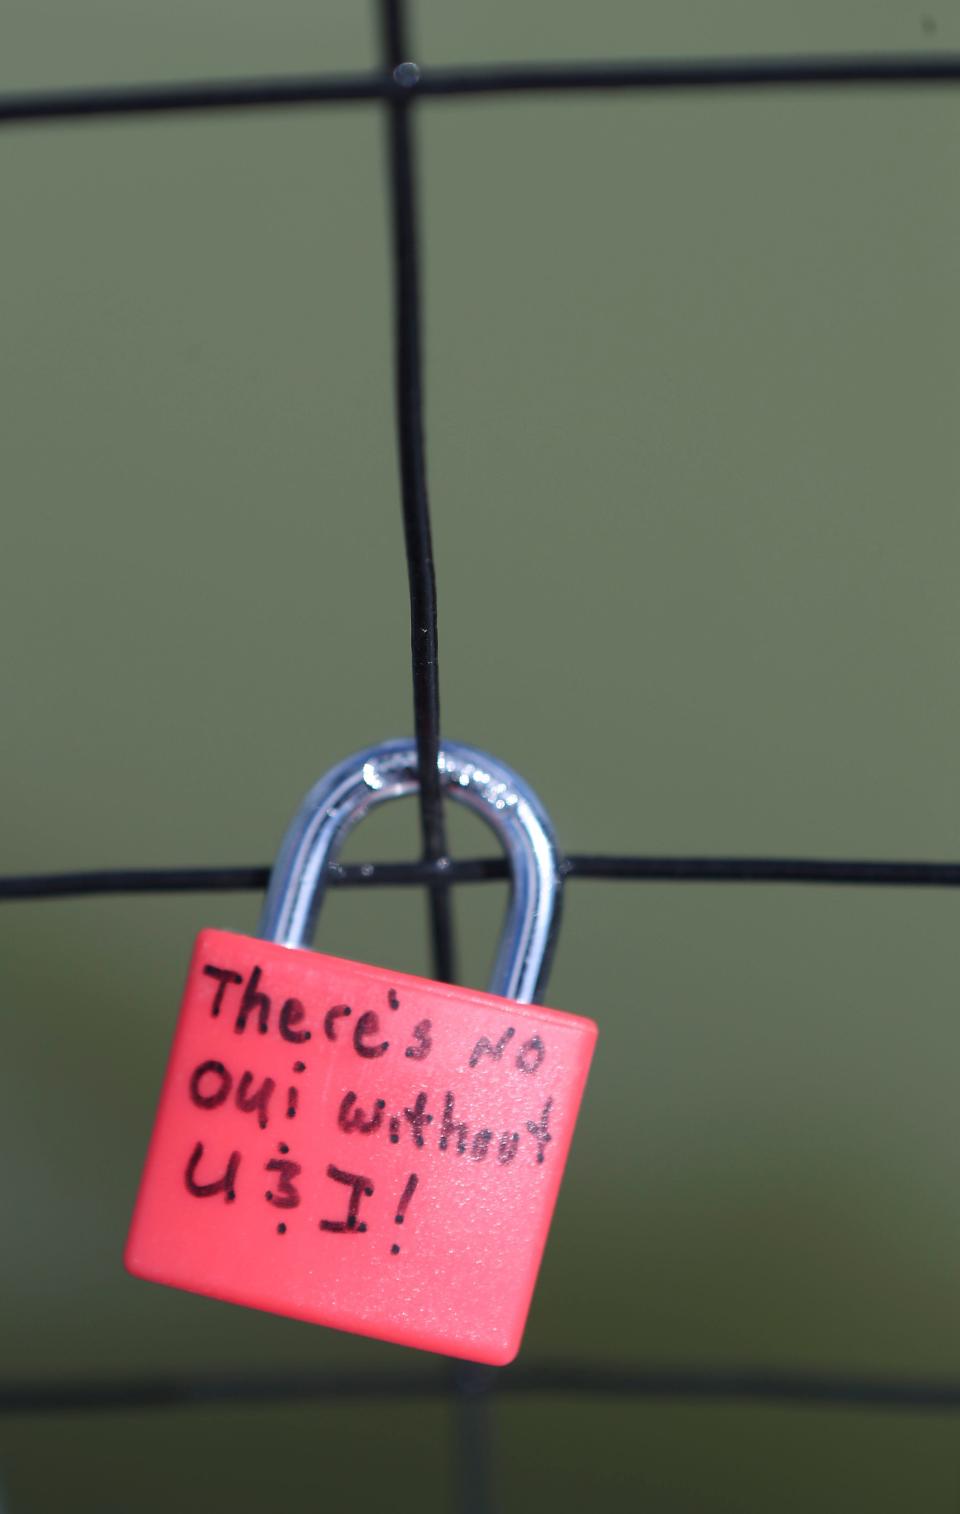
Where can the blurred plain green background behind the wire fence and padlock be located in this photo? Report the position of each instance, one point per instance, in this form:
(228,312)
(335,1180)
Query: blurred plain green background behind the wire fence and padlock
(691,416)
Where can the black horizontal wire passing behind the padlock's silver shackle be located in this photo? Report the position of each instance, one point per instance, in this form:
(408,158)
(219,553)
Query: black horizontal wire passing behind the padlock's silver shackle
(493,870)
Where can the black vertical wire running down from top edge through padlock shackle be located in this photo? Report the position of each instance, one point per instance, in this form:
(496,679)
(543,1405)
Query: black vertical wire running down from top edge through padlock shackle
(414,488)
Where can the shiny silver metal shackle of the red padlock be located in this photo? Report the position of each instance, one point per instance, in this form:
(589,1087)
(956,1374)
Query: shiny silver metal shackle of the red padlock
(472,777)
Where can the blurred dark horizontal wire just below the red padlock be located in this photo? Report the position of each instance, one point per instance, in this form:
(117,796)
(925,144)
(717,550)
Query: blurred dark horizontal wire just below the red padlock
(702,1385)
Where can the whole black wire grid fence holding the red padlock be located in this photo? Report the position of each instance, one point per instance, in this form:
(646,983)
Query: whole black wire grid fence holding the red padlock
(401,86)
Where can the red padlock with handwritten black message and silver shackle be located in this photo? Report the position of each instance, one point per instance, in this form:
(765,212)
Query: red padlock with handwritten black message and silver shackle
(364,1148)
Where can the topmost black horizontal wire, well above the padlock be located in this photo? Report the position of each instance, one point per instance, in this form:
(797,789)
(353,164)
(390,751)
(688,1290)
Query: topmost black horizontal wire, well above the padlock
(316,90)
